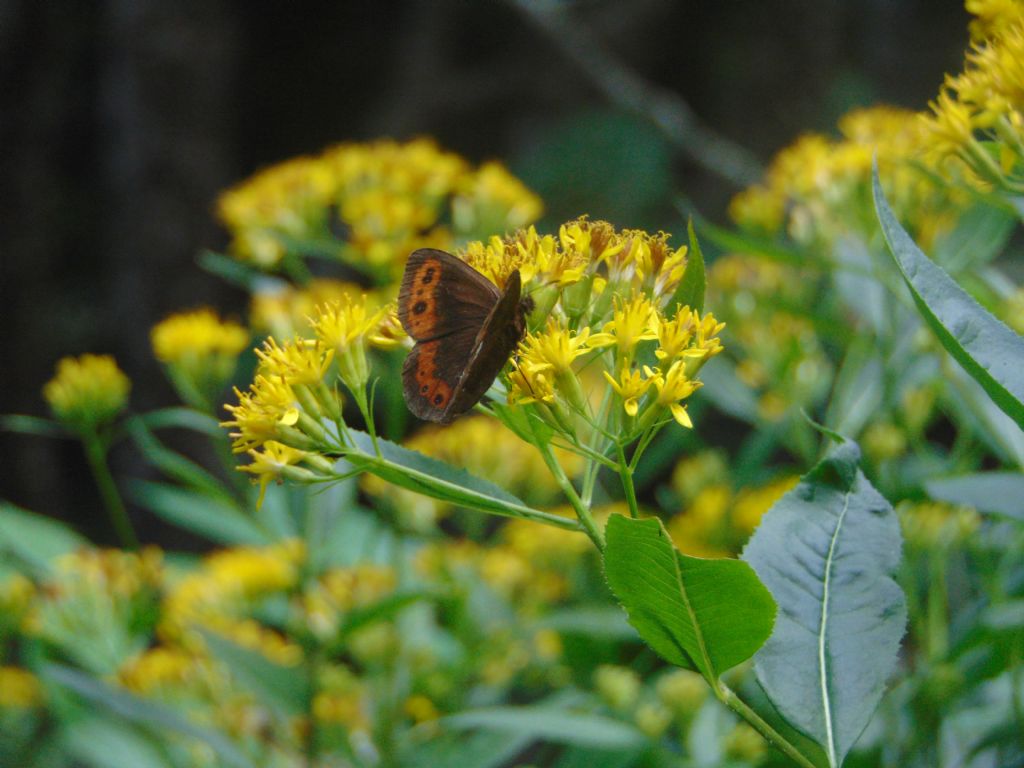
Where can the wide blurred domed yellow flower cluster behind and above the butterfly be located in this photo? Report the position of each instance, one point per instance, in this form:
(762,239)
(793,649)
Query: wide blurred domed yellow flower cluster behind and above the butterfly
(388,198)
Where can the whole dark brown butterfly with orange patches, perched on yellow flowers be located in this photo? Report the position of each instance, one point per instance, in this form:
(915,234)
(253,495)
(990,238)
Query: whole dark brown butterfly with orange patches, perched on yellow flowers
(465,329)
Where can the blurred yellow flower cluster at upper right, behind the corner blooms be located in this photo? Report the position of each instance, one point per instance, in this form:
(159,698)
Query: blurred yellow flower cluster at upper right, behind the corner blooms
(818,188)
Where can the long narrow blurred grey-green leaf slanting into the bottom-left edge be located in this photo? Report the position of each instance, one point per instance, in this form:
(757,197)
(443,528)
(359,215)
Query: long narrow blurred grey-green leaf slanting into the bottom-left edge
(137,710)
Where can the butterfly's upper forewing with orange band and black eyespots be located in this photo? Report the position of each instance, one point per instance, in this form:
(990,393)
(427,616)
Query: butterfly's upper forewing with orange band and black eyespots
(442,295)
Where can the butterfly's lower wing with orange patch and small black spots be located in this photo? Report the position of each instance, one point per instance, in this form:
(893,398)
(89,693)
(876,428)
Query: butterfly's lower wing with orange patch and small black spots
(432,373)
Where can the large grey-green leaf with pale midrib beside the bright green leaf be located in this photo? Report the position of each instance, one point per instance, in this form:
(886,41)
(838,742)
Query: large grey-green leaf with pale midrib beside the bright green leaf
(827,550)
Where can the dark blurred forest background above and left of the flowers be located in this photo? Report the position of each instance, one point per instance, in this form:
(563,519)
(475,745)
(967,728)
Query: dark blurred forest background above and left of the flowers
(120,121)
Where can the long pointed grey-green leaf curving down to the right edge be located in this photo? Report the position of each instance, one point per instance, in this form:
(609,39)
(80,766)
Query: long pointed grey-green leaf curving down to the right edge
(989,351)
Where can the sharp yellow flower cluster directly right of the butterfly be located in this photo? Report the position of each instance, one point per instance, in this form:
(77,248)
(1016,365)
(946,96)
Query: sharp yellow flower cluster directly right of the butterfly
(607,296)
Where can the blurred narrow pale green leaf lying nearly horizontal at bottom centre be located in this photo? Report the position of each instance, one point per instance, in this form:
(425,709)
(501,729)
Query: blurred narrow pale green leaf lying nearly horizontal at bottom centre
(550,724)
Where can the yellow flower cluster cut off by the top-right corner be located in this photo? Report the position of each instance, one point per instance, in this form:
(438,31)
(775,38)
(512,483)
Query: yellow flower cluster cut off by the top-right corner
(986,101)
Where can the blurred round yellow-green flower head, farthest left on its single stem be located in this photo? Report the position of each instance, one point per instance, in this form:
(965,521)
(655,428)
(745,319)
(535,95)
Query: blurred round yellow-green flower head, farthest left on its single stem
(88,392)
